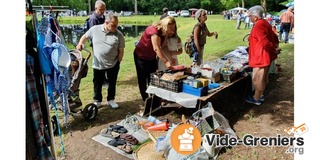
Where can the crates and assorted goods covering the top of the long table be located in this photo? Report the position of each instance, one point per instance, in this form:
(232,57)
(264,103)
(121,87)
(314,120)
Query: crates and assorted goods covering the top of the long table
(199,80)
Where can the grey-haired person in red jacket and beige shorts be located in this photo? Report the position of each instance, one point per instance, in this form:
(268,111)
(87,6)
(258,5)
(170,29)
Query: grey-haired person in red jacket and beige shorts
(263,49)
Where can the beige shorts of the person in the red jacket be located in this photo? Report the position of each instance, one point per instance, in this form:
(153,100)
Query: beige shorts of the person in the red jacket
(260,78)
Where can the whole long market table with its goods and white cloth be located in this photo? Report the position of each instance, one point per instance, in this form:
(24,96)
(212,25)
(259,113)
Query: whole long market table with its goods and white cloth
(192,87)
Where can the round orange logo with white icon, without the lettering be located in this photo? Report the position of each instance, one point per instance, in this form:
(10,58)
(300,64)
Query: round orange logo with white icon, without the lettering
(185,139)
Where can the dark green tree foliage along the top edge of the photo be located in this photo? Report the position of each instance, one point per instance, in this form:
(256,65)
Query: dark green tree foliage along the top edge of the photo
(151,6)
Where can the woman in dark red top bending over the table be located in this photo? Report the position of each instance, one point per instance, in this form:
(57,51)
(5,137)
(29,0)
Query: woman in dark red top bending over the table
(149,48)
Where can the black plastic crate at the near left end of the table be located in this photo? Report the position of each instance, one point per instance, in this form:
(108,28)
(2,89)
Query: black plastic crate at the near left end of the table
(174,86)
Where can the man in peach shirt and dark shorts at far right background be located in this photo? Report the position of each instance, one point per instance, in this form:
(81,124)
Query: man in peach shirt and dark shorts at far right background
(286,23)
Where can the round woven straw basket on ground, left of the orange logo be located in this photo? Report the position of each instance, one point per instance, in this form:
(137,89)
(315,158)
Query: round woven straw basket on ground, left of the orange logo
(147,152)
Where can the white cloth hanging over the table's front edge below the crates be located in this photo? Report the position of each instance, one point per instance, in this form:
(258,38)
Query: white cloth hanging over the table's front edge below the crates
(184,99)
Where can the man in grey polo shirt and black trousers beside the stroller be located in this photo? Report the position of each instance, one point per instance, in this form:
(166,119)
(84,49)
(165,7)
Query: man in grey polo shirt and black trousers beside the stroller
(108,45)
